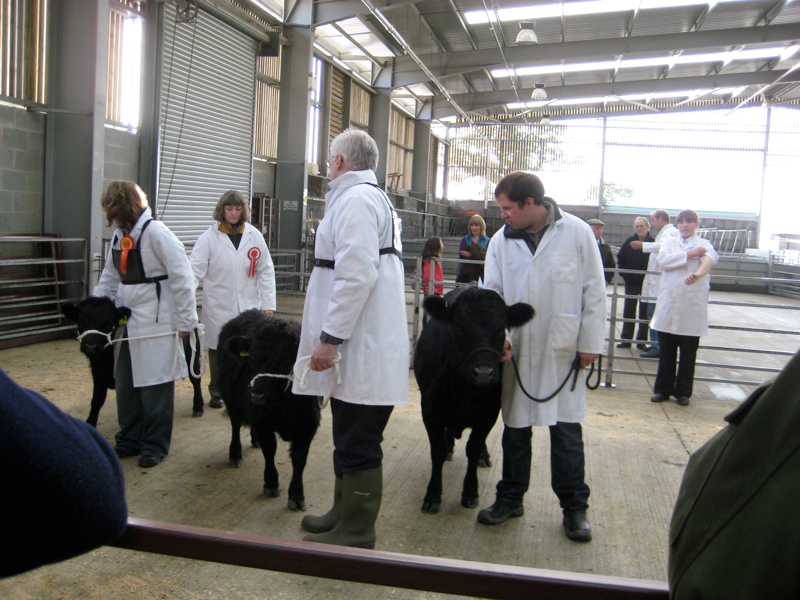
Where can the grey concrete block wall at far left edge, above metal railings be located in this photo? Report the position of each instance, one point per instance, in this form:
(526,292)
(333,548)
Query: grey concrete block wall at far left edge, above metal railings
(21,170)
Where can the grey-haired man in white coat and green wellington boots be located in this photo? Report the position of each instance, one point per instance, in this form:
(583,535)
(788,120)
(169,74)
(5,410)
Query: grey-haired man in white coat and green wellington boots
(355,305)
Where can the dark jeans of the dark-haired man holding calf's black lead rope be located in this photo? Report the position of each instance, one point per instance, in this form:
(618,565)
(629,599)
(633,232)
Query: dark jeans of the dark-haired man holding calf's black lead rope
(566,466)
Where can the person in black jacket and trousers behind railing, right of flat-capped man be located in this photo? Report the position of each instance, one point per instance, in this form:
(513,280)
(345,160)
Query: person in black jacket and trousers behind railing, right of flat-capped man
(636,260)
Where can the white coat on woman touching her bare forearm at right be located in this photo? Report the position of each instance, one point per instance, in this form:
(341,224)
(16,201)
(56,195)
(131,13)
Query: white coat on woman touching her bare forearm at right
(682,309)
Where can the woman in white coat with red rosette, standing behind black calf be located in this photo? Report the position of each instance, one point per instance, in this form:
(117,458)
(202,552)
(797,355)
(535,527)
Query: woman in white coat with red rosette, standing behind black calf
(232,259)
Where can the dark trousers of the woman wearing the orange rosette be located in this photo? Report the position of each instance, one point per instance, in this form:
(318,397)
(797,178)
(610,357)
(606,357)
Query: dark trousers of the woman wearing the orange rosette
(144,413)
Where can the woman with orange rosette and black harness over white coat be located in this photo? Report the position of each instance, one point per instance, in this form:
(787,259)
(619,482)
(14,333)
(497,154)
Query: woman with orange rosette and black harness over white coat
(146,271)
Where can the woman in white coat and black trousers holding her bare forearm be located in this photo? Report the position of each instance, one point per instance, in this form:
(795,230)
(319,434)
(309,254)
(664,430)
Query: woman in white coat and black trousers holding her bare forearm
(681,316)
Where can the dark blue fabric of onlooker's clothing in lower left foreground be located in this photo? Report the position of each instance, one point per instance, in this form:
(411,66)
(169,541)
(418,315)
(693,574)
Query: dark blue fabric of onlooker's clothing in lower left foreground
(63,489)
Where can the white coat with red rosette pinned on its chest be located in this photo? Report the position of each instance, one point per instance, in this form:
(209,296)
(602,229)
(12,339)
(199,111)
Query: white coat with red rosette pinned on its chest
(228,290)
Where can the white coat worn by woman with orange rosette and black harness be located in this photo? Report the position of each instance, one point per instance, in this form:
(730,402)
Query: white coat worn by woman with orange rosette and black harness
(162,254)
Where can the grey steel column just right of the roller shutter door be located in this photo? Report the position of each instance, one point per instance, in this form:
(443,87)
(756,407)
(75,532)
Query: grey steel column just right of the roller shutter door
(291,173)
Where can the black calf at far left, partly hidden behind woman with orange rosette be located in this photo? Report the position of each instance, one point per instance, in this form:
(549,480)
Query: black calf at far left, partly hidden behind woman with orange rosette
(100,314)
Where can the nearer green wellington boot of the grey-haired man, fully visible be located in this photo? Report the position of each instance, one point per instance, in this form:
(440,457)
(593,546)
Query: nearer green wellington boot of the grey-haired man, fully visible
(361,501)
